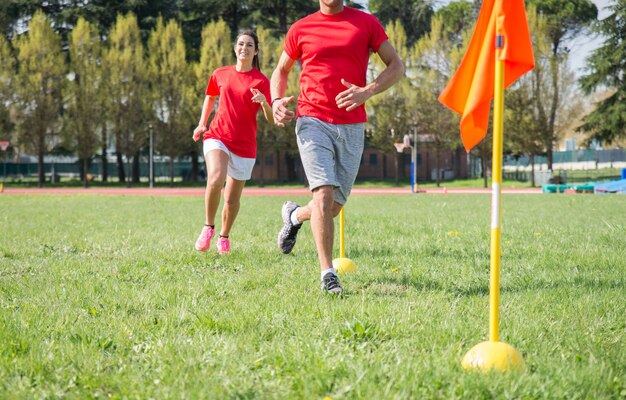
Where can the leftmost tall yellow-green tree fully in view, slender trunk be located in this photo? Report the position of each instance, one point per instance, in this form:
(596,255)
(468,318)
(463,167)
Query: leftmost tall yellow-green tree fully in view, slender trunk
(40,80)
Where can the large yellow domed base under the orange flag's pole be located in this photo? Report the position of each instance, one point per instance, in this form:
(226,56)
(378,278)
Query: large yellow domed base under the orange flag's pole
(498,356)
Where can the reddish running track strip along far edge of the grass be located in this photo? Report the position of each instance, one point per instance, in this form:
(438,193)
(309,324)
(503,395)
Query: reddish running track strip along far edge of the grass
(247,192)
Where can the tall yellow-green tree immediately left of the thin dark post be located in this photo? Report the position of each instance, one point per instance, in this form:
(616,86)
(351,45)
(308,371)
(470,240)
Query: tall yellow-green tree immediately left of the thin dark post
(127,88)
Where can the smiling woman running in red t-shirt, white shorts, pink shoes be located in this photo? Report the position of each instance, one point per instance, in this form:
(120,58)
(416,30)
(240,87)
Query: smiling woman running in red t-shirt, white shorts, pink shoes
(229,144)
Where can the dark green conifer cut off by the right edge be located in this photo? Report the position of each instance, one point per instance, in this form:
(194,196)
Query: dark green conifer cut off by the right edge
(606,67)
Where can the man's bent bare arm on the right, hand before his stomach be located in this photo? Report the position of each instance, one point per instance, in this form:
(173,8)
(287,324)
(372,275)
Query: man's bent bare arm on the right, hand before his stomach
(356,95)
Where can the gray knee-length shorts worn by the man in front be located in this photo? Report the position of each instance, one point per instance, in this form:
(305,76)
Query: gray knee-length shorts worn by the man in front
(331,154)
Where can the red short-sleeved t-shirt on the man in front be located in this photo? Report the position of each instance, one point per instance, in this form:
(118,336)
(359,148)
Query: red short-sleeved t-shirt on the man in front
(332,47)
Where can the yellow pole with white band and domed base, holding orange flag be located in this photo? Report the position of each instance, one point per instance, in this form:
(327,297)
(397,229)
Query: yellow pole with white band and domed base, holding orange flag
(493,354)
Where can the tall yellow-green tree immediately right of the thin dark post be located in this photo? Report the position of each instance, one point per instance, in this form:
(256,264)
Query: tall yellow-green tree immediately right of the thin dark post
(171,90)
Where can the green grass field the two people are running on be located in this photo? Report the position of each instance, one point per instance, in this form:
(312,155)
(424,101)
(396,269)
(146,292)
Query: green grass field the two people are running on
(104,297)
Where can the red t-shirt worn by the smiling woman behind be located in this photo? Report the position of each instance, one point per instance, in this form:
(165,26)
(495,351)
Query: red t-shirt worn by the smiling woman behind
(234,122)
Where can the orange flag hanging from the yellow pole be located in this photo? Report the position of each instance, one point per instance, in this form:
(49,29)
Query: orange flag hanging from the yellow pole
(471,89)
